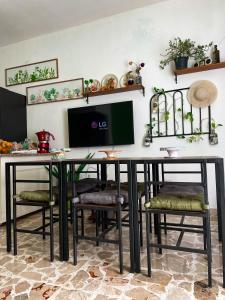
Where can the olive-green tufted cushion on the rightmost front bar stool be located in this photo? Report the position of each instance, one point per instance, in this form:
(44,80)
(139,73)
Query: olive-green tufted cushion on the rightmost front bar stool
(193,203)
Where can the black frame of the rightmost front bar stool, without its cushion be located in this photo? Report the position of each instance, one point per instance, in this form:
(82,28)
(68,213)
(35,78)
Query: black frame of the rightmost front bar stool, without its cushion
(205,215)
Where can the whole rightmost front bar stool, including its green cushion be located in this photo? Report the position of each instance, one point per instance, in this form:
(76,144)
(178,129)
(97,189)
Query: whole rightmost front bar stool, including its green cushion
(180,199)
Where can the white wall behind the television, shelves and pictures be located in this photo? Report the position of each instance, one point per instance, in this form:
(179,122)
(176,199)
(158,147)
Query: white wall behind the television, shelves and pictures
(105,46)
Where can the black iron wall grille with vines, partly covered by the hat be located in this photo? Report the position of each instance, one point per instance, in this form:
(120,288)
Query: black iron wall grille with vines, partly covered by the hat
(172,115)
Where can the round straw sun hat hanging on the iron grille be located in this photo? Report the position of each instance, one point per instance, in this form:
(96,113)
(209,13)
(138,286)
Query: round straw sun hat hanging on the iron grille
(202,93)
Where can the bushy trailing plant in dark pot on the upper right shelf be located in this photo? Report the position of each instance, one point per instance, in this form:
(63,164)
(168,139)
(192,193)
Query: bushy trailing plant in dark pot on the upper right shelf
(178,51)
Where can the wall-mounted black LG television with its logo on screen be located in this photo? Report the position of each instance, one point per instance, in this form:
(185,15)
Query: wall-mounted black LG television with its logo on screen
(101,125)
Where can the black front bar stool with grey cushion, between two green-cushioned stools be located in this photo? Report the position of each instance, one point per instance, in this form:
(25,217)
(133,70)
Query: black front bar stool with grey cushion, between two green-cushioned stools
(101,201)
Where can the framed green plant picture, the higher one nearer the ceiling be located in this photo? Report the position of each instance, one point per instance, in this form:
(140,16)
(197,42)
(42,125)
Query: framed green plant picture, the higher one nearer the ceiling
(34,72)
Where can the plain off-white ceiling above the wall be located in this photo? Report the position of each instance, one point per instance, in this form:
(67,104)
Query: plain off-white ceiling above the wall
(24,19)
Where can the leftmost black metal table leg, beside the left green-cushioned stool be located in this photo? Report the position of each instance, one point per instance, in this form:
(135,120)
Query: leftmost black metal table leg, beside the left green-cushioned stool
(8,208)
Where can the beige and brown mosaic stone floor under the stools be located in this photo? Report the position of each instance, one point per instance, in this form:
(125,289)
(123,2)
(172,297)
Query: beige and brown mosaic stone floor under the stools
(176,276)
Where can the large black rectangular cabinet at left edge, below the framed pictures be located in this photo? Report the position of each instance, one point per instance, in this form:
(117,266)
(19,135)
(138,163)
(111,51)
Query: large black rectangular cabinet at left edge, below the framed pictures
(13,116)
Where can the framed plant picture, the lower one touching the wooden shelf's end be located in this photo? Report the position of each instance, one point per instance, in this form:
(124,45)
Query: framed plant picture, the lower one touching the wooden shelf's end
(56,91)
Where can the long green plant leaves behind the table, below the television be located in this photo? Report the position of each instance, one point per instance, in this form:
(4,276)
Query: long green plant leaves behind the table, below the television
(71,175)
